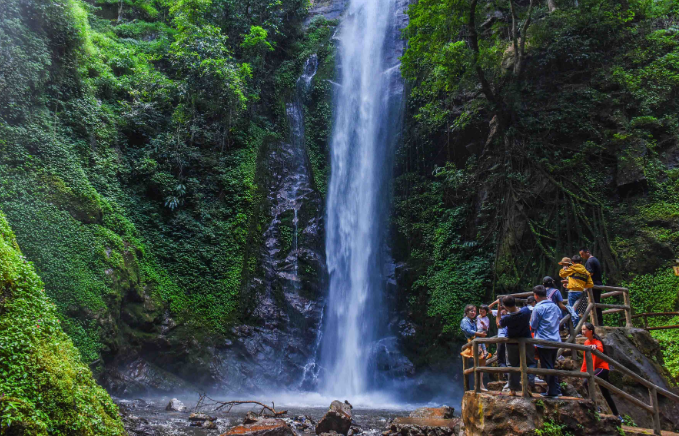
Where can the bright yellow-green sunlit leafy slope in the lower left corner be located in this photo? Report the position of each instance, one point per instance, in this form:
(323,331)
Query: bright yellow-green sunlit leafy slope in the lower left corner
(45,389)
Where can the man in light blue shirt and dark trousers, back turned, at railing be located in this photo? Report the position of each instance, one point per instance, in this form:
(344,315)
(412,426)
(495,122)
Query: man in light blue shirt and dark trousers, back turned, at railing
(545,324)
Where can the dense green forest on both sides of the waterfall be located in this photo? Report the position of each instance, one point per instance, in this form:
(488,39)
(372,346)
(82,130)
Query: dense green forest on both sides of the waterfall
(134,137)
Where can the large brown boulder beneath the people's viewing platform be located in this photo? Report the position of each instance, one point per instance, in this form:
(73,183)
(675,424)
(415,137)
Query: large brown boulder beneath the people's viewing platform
(487,414)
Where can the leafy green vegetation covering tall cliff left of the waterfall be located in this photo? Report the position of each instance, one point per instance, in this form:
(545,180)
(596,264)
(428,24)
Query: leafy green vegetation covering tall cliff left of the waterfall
(131,134)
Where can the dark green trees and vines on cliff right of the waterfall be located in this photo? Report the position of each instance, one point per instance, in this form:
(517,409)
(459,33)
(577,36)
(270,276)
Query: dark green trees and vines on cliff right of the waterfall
(533,129)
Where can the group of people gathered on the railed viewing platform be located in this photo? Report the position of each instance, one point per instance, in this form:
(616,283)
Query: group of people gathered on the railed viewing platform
(540,318)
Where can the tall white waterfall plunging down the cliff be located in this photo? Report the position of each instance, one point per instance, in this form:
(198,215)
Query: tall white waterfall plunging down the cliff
(367,117)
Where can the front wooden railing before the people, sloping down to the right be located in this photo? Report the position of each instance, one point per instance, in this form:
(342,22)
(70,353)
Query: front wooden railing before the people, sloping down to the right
(653,390)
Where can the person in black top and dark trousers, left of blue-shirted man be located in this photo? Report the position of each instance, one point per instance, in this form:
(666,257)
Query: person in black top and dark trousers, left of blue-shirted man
(517,323)
